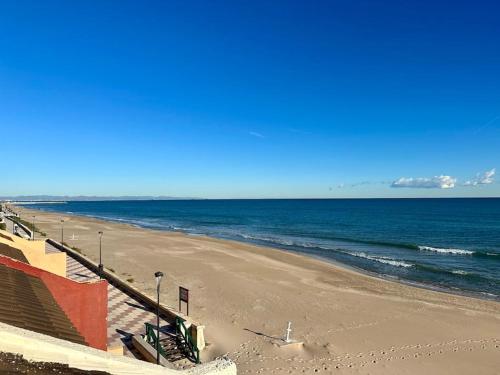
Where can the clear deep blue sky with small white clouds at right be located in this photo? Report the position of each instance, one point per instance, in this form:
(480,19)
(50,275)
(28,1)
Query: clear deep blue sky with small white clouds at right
(250,99)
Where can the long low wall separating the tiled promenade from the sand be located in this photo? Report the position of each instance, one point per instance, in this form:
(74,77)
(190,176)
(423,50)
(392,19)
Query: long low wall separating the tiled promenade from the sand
(165,313)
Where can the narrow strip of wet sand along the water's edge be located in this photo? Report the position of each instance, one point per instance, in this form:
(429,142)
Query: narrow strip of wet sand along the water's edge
(415,284)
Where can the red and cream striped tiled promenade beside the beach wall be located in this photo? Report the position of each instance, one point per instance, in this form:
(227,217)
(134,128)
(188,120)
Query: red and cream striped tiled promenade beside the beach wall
(126,315)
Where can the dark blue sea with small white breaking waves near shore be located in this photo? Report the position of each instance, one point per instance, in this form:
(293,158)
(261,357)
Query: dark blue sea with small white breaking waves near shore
(443,243)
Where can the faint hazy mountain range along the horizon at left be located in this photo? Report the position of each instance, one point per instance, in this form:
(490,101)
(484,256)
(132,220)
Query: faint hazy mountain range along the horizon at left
(62,198)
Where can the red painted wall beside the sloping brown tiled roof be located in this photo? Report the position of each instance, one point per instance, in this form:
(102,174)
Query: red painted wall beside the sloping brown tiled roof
(85,304)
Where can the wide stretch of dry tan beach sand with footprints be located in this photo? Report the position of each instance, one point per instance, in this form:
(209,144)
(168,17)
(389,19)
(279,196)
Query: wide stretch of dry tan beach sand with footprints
(350,323)
